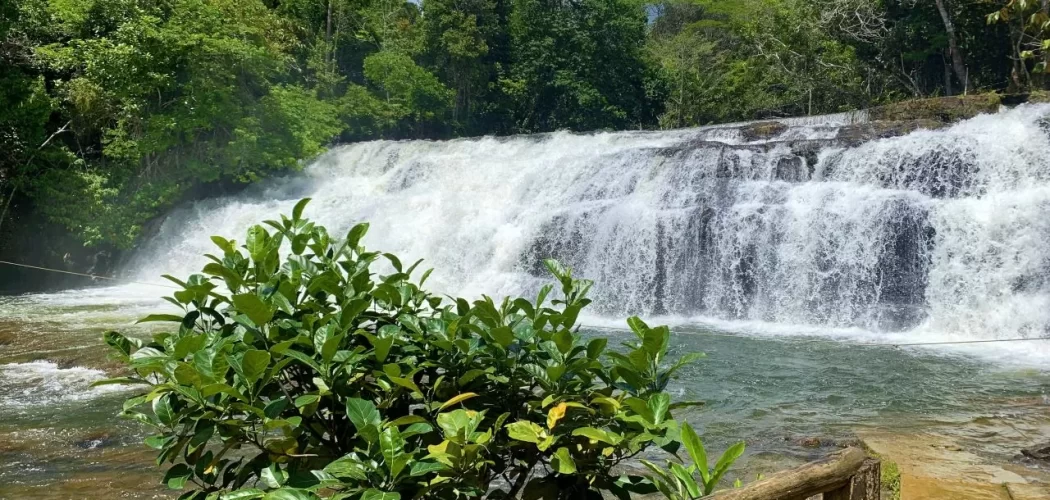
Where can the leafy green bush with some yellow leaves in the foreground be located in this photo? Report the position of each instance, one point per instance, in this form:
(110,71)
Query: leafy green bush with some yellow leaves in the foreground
(316,378)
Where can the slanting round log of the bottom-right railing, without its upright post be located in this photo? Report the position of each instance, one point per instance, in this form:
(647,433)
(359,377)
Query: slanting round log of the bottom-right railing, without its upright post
(814,478)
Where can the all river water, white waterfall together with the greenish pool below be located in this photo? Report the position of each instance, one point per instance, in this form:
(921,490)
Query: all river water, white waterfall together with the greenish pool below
(797,260)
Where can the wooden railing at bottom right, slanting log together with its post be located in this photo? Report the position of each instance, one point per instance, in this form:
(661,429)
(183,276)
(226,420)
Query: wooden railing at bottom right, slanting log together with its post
(847,475)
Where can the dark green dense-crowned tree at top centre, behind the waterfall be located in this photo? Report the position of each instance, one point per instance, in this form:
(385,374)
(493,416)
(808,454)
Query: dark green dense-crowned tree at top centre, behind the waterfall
(580,66)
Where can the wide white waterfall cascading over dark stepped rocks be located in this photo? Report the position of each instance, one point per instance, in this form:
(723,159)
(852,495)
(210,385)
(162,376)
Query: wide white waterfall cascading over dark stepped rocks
(809,223)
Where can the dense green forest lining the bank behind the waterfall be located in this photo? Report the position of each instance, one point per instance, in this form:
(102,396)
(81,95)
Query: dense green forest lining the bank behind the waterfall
(114,111)
